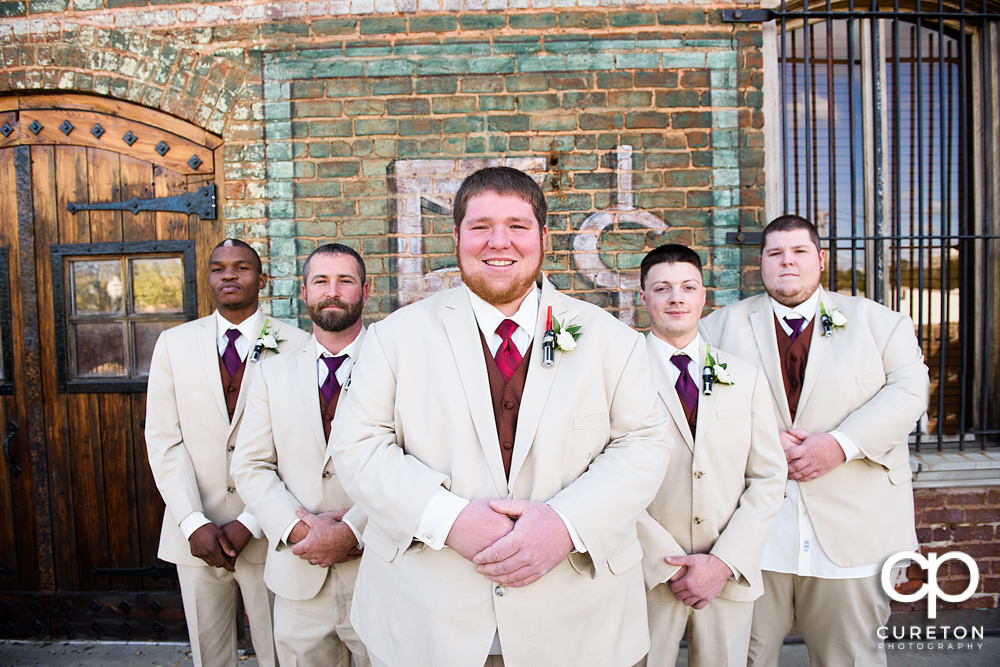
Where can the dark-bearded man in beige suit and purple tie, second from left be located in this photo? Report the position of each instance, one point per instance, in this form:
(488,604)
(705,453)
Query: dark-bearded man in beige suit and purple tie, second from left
(312,561)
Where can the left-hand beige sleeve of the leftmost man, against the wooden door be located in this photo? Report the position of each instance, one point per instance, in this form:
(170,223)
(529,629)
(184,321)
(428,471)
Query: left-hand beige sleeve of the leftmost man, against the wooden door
(169,460)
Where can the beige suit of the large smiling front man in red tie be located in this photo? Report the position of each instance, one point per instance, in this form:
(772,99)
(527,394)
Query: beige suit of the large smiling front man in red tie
(589,442)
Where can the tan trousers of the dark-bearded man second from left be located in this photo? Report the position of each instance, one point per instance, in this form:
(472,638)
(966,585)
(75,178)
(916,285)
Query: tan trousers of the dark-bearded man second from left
(318,632)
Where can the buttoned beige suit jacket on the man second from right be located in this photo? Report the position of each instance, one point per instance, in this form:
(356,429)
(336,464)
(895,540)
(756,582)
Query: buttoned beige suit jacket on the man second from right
(723,487)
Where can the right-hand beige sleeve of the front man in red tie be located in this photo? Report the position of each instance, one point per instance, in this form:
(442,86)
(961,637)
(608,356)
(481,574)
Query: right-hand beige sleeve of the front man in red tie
(604,502)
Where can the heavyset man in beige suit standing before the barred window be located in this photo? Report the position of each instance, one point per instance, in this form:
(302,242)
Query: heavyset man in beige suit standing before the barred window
(848,382)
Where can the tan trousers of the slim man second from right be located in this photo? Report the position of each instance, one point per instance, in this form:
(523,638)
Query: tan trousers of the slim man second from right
(717,636)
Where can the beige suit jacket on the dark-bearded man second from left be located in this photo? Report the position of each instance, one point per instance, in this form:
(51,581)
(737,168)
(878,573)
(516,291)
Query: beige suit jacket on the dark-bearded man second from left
(279,465)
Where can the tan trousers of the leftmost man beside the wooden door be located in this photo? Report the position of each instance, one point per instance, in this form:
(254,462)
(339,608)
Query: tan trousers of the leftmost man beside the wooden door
(209,596)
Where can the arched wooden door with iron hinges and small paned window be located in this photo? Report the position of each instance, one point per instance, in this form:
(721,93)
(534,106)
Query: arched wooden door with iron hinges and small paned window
(87,294)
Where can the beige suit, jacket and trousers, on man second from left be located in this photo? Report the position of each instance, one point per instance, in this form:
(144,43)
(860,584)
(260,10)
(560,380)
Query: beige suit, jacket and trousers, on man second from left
(278,466)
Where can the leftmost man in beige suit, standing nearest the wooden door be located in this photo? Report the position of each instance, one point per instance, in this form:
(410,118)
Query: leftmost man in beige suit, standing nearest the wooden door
(199,378)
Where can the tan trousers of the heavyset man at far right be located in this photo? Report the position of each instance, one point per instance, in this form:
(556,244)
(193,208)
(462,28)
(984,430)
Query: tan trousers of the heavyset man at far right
(837,618)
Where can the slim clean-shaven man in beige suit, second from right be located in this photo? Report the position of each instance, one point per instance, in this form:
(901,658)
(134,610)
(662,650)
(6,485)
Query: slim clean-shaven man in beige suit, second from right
(704,532)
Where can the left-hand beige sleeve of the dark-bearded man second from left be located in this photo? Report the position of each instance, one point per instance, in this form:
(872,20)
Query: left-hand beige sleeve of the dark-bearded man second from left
(255,465)
